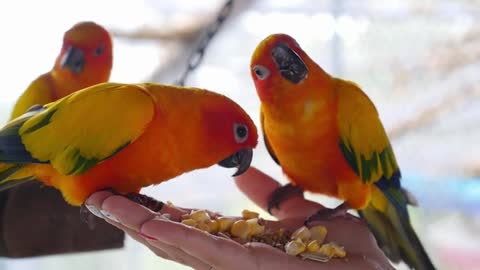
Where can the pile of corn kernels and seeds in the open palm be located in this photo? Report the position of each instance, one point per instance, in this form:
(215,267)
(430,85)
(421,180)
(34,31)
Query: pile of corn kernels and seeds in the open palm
(308,243)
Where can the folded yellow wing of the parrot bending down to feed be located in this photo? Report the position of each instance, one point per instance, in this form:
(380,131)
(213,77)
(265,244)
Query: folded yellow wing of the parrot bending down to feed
(75,133)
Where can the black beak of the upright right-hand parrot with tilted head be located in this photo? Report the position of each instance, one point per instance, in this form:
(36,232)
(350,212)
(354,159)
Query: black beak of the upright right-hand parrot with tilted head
(290,65)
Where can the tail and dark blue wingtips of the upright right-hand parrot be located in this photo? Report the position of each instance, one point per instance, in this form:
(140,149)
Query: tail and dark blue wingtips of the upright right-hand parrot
(390,224)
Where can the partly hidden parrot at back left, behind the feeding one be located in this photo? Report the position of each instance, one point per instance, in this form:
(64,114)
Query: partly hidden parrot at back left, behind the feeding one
(84,60)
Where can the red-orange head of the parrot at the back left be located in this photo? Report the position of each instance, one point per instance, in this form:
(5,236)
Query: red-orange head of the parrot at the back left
(86,54)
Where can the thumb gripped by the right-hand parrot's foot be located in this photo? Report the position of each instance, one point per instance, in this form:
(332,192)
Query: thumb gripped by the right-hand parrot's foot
(258,187)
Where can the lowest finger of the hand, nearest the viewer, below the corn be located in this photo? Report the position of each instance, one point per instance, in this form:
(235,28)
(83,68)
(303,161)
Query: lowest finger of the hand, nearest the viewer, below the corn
(220,253)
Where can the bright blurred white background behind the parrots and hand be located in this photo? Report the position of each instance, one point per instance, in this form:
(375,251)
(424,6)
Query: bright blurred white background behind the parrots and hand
(419,61)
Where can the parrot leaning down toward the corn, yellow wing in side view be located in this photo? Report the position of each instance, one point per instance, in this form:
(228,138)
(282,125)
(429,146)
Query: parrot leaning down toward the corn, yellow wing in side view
(124,137)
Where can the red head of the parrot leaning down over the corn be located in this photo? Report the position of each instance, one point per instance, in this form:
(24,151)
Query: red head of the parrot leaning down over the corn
(233,133)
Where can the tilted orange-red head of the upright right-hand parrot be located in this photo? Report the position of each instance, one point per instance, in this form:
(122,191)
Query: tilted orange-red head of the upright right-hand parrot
(278,65)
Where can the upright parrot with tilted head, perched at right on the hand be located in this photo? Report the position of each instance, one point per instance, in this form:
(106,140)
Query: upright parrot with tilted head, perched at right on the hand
(327,136)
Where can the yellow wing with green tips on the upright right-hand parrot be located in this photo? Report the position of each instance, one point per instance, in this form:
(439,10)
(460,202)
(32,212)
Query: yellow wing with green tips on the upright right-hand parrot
(363,140)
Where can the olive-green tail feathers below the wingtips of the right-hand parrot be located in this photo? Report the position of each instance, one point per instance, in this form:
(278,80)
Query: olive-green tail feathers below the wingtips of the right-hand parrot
(396,237)
